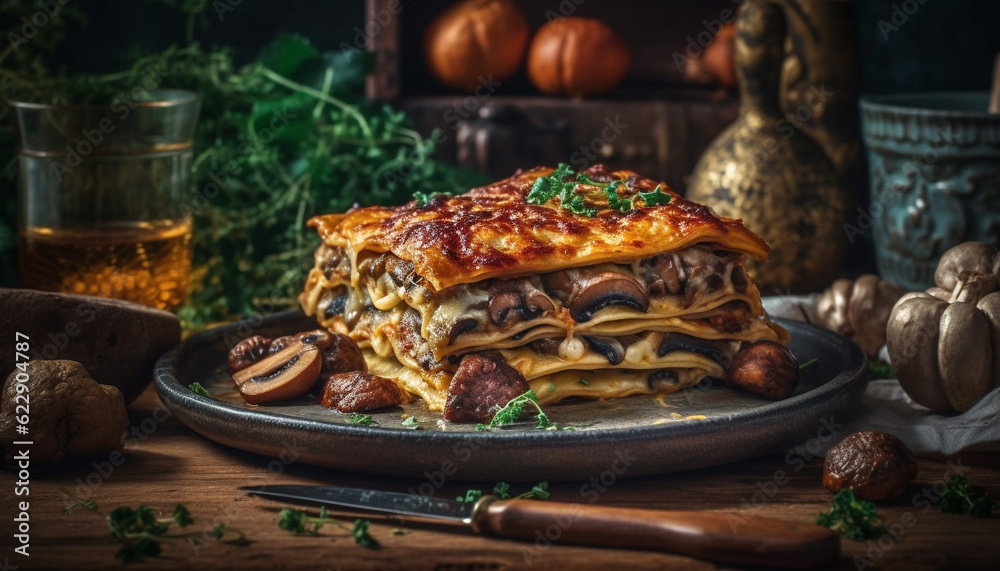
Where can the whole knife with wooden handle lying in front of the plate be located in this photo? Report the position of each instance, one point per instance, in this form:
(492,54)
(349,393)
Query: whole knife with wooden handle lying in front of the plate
(713,536)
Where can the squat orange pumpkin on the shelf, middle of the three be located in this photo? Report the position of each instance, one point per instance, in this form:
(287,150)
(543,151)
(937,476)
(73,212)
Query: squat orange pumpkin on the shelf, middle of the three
(577,56)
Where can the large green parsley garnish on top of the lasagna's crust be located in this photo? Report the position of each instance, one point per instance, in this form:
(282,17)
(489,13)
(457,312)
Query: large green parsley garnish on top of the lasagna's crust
(554,186)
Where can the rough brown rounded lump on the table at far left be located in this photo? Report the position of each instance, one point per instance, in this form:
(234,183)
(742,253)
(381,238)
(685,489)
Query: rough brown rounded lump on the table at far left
(71,414)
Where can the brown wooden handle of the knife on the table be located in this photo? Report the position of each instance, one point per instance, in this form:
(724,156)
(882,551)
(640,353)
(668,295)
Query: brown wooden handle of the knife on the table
(713,536)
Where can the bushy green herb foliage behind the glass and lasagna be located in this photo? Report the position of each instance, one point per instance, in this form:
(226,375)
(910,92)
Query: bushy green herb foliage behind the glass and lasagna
(280,139)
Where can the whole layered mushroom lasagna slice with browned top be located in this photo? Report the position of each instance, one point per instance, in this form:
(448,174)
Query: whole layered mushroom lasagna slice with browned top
(612,297)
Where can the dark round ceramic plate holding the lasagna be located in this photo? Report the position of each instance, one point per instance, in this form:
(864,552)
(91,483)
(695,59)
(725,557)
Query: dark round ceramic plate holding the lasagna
(699,427)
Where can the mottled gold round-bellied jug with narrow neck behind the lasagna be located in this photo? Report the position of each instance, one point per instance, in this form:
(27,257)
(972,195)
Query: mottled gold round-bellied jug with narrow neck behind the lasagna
(769,173)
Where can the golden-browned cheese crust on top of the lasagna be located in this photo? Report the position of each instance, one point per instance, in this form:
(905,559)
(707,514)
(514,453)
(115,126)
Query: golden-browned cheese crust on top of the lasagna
(493,232)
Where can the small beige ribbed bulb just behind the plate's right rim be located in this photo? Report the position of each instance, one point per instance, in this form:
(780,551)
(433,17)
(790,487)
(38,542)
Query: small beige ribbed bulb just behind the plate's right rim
(859,310)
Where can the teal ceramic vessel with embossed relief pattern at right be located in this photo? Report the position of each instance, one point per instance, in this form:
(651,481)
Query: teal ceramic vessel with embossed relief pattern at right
(934,161)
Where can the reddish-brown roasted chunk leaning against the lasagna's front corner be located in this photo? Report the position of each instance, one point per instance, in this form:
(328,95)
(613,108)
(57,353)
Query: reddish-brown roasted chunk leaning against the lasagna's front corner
(482,384)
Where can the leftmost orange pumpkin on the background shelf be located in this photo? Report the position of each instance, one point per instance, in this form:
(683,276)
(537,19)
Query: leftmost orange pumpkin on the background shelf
(476,41)
